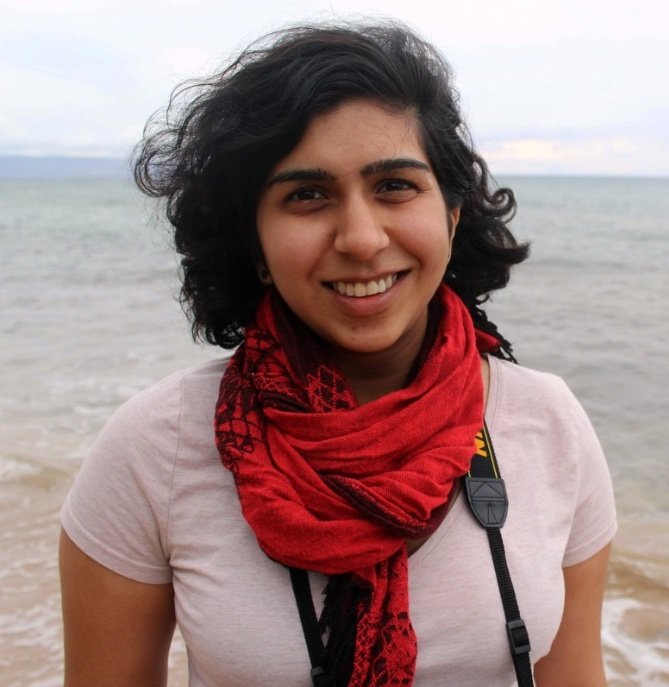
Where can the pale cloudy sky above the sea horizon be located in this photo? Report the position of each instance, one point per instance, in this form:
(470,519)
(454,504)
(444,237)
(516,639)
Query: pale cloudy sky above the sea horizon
(547,86)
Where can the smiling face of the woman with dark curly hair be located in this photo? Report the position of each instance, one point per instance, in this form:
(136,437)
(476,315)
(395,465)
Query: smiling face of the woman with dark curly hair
(355,231)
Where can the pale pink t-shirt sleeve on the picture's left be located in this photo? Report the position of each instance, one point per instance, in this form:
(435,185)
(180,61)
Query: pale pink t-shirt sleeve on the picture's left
(117,510)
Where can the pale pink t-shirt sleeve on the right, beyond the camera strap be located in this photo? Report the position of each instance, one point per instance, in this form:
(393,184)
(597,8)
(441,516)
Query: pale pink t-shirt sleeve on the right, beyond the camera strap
(594,523)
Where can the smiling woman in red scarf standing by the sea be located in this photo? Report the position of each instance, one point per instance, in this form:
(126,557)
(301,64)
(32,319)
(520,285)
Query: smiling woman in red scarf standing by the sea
(335,221)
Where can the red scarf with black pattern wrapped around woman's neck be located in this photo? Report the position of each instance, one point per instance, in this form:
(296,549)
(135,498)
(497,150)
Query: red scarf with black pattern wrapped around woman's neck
(333,487)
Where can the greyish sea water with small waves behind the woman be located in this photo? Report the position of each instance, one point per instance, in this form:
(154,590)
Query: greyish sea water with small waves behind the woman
(89,317)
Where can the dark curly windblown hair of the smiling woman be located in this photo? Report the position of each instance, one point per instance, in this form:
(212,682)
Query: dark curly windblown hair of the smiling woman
(212,153)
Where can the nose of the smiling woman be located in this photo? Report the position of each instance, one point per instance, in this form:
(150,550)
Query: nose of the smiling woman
(360,232)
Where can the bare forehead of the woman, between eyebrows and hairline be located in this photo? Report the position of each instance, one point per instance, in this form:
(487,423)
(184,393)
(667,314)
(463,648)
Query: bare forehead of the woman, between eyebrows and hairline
(356,133)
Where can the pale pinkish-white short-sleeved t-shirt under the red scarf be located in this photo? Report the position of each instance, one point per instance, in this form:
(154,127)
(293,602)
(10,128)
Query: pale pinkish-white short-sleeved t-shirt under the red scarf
(153,503)
